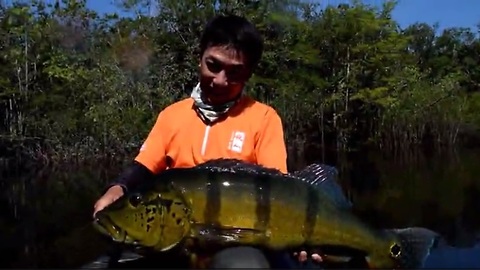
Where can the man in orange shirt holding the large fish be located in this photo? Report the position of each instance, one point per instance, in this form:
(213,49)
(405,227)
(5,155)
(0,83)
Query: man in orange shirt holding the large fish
(218,120)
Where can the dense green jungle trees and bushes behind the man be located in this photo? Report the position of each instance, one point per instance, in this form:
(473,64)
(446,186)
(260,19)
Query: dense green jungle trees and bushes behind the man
(80,86)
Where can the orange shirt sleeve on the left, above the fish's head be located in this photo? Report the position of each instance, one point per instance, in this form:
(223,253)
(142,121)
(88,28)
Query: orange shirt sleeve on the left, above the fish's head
(152,154)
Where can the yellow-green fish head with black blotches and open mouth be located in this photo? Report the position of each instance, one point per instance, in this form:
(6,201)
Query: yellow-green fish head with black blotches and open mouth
(150,219)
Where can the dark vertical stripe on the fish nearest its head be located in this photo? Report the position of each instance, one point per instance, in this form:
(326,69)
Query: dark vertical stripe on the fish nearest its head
(213,202)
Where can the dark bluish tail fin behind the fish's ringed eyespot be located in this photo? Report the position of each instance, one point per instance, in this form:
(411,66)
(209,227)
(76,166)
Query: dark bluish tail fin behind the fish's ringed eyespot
(416,245)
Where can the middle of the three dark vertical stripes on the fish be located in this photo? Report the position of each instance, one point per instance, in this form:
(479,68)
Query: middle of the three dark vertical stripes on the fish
(262,202)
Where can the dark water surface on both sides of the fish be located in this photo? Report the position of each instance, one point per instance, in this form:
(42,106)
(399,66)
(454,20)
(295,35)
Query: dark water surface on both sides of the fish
(45,214)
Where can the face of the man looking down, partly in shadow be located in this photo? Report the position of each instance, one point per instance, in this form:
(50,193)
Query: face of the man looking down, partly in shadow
(223,73)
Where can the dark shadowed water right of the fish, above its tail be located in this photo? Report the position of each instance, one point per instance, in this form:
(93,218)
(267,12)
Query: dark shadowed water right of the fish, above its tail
(440,192)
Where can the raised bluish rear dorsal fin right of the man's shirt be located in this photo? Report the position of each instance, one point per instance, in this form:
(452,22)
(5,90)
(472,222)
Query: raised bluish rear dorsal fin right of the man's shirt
(323,177)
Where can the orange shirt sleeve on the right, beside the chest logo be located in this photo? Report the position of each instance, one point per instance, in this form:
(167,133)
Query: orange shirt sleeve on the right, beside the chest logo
(270,148)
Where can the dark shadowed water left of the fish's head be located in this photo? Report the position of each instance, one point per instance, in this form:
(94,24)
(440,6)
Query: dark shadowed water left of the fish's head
(45,216)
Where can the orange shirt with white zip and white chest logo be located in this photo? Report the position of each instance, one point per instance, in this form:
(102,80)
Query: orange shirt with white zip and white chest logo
(252,132)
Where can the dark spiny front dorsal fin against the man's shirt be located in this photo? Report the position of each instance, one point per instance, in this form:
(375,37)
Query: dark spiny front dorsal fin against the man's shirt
(236,165)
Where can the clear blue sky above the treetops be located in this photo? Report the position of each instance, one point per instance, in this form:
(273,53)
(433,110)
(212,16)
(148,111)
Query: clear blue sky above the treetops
(447,13)
